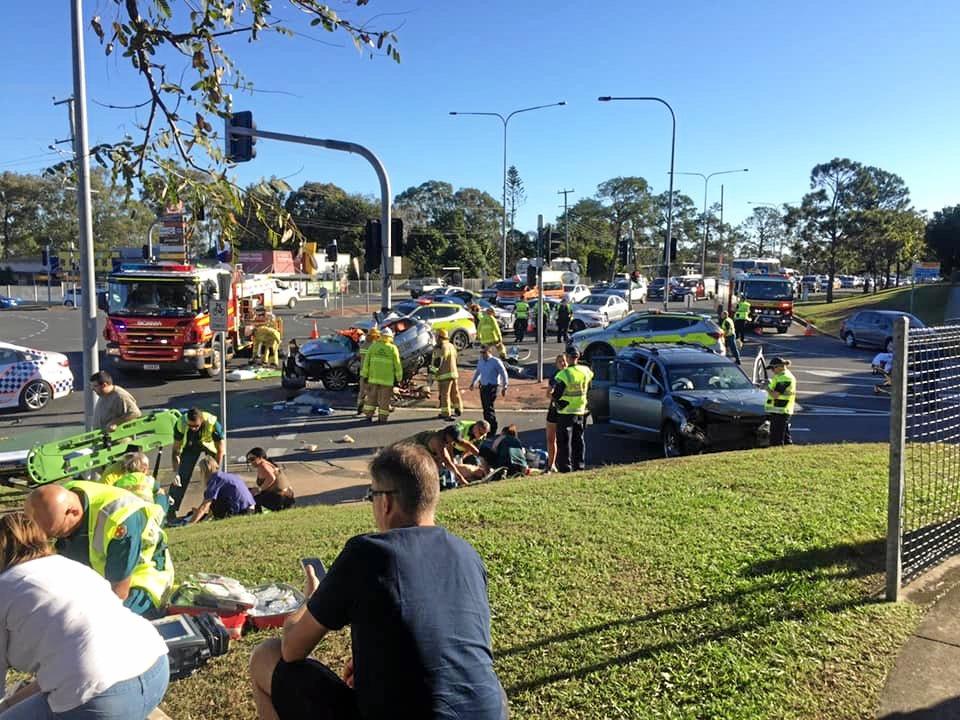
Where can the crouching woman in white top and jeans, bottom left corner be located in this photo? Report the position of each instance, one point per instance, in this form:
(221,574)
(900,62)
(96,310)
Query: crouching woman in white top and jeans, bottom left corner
(61,621)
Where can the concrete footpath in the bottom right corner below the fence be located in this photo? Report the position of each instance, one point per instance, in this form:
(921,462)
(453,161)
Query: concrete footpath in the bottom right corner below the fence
(925,681)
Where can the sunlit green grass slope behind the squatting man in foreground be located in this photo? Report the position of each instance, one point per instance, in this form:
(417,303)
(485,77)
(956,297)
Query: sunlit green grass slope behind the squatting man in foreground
(742,585)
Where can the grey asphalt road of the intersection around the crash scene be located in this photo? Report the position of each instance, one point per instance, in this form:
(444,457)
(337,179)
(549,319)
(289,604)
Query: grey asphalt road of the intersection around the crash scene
(836,397)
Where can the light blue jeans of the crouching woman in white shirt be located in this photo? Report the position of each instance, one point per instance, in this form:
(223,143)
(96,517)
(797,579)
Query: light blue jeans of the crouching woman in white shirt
(132,699)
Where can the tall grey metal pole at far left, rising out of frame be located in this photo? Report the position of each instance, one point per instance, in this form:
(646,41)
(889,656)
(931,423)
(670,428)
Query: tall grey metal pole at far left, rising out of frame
(81,150)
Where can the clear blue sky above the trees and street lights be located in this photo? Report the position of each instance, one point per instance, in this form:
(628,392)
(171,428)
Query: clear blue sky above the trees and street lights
(773,87)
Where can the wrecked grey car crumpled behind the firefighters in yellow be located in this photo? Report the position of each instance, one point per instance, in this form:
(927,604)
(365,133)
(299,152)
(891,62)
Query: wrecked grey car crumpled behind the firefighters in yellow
(335,359)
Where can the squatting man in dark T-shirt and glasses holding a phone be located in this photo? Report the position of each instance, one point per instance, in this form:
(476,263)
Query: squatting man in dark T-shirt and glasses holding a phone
(415,598)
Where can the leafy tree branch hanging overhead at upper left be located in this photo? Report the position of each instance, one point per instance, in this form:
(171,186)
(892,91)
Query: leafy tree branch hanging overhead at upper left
(179,51)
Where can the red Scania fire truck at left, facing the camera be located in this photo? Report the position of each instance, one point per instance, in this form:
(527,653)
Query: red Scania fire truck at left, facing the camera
(158,319)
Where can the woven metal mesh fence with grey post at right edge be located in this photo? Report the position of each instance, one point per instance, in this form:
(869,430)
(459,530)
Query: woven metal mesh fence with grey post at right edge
(924,485)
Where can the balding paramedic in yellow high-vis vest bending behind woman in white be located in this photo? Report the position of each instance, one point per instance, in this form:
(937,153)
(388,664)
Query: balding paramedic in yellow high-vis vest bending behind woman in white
(115,533)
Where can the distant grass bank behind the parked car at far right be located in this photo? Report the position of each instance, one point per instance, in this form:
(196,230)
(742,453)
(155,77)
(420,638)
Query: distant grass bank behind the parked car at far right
(930,303)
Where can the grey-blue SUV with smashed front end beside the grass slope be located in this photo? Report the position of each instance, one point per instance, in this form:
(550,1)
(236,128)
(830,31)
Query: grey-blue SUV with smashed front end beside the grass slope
(685,399)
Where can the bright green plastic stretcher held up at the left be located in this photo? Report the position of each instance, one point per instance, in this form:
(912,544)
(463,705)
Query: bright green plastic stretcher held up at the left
(65,458)
